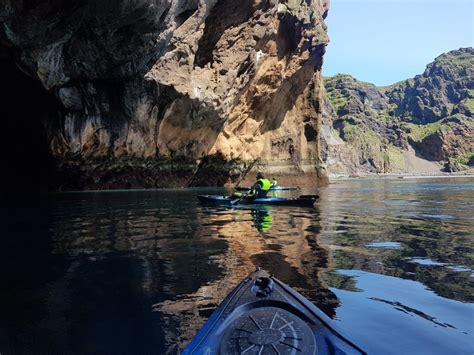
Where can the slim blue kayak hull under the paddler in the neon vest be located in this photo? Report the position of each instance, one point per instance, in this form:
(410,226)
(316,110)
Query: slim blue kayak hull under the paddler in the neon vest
(303,200)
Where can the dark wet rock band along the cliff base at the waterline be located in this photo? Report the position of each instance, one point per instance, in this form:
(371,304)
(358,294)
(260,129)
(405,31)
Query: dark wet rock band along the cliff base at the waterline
(128,172)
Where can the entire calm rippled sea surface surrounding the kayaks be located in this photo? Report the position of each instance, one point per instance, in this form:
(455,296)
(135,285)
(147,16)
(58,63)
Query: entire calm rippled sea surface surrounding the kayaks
(138,272)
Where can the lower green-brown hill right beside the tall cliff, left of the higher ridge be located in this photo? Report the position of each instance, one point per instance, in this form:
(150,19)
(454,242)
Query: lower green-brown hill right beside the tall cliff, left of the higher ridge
(358,134)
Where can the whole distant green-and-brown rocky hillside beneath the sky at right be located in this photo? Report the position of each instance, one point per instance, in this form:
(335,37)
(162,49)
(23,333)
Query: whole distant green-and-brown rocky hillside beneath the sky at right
(421,125)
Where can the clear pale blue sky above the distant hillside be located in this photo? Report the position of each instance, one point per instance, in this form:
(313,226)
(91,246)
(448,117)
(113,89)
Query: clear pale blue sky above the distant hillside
(385,41)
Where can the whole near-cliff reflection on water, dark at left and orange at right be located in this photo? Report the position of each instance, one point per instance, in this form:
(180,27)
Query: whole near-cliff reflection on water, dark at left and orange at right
(185,258)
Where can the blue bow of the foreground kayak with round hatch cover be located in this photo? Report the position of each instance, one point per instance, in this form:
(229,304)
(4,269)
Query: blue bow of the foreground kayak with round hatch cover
(262,315)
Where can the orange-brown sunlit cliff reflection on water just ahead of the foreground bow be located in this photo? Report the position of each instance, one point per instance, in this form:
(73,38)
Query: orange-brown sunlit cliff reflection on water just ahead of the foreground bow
(287,248)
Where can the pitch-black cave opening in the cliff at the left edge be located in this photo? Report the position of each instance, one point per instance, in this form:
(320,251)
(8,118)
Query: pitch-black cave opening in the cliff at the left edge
(27,164)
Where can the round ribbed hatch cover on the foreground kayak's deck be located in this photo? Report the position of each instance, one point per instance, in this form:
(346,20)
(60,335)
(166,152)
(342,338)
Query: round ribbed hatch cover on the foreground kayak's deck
(268,330)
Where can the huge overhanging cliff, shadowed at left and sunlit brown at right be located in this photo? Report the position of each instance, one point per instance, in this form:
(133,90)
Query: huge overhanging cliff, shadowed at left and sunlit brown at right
(168,78)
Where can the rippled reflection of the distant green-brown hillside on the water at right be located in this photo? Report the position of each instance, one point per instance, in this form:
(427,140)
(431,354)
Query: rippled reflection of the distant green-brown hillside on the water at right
(415,231)
